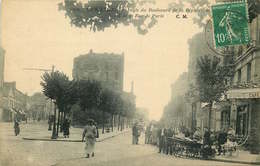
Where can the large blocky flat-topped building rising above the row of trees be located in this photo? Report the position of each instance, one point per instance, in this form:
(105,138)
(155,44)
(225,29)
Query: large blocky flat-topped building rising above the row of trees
(108,68)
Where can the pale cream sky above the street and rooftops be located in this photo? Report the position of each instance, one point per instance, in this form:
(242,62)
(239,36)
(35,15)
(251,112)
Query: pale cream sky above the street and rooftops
(35,34)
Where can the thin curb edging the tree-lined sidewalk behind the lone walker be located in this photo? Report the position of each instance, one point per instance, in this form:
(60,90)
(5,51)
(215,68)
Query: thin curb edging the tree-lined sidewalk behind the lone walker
(59,140)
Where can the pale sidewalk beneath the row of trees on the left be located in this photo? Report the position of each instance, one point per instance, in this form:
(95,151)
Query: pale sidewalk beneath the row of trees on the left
(40,132)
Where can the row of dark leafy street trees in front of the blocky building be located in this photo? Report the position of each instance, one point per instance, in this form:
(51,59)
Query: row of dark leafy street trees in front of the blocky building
(94,100)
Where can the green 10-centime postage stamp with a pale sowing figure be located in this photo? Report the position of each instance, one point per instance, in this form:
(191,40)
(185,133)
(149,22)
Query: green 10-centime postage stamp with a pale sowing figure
(230,22)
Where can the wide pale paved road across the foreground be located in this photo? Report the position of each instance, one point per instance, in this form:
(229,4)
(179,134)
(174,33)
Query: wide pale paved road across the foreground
(117,151)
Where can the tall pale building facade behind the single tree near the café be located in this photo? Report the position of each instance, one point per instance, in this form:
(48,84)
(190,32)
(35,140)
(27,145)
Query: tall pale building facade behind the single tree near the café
(199,112)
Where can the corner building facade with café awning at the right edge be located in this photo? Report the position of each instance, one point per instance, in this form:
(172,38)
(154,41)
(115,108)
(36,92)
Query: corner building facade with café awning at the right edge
(244,95)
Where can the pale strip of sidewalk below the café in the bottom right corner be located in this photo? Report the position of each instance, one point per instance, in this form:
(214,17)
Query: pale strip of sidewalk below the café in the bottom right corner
(241,156)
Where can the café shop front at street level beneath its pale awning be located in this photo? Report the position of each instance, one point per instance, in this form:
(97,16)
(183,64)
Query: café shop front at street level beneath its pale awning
(245,113)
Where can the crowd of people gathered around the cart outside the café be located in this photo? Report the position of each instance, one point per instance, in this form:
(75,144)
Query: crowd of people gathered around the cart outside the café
(223,140)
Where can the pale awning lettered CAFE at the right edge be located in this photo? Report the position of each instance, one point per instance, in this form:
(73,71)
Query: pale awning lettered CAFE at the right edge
(243,93)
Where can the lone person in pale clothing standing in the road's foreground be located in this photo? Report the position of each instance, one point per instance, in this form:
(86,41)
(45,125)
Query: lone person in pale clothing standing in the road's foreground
(90,135)
